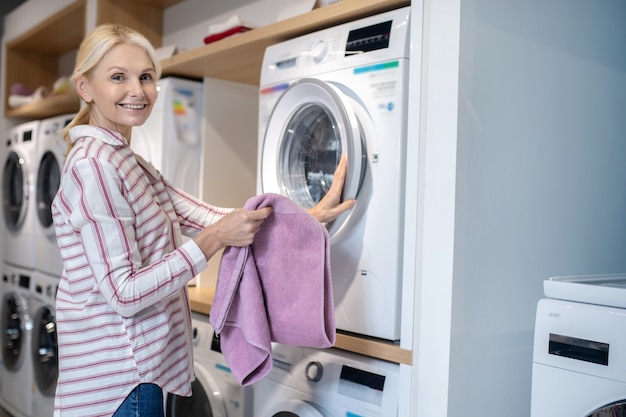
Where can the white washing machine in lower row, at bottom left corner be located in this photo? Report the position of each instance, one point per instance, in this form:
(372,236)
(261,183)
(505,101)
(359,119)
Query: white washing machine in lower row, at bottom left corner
(16,328)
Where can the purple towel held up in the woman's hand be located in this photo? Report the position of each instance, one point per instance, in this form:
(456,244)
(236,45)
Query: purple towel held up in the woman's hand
(278,289)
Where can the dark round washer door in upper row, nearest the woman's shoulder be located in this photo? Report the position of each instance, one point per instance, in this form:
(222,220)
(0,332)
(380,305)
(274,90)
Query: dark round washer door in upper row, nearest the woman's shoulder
(48,181)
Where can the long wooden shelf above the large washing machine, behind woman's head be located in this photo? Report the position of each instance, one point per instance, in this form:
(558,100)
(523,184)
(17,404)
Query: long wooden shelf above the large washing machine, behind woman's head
(239,58)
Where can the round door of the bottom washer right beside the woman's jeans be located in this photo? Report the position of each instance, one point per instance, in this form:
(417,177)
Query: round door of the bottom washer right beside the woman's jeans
(206,399)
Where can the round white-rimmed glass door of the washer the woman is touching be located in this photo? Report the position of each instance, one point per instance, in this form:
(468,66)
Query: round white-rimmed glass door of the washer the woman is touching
(312,124)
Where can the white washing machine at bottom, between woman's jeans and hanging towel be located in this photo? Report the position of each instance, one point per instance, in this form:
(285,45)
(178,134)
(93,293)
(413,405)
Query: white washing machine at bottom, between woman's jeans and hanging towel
(216,393)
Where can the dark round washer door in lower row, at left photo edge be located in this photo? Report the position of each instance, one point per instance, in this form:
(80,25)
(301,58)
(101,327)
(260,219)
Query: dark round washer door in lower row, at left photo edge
(12,328)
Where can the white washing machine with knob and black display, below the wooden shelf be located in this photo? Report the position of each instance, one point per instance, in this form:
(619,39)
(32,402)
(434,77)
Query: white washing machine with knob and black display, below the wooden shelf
(328,383)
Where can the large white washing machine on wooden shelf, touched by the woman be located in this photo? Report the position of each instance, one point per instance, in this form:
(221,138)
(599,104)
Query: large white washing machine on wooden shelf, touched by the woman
(344,90)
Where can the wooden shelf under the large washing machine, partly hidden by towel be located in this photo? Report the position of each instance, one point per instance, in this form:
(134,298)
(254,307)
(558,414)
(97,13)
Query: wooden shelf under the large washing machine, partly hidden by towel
(201,300)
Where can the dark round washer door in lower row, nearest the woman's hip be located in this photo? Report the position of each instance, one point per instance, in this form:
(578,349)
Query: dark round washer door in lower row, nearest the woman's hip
(44,351)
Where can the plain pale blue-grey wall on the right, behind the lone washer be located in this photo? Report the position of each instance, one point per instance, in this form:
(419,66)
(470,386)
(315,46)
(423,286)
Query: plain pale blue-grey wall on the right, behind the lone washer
(540,184)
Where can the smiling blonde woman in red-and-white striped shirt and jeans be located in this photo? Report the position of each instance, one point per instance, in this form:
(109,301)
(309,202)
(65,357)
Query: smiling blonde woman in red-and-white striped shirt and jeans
(123,317)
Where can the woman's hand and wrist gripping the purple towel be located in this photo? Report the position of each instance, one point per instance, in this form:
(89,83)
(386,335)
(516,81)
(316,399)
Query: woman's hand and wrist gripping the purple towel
(237,228)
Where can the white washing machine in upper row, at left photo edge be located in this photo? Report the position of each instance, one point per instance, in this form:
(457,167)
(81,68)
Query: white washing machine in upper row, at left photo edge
(18,199)
